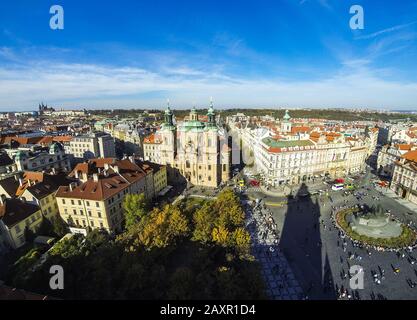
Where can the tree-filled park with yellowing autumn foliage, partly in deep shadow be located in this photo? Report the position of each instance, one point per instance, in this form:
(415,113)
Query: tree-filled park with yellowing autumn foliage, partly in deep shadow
(196,249)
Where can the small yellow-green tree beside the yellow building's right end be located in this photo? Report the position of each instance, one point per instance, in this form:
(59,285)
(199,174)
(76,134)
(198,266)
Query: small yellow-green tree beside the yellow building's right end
(136,207)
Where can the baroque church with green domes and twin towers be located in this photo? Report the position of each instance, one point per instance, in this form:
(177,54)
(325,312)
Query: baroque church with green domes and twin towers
(193,149)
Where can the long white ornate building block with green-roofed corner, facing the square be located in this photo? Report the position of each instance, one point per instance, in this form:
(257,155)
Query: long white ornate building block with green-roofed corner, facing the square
(290,154)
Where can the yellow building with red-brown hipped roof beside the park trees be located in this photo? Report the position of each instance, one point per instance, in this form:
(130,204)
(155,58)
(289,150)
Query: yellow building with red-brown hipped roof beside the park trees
(95,201)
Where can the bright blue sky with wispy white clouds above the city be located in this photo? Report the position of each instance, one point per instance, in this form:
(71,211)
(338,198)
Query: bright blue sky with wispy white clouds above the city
(263,53)
